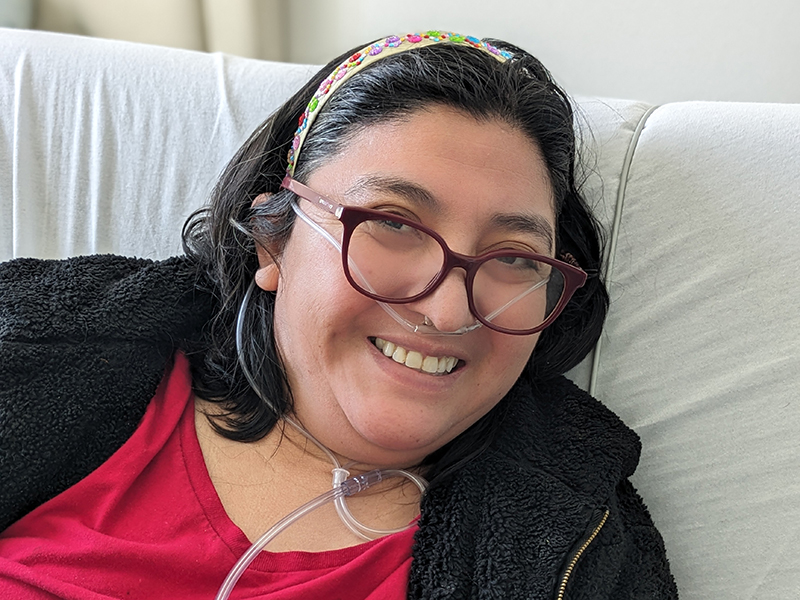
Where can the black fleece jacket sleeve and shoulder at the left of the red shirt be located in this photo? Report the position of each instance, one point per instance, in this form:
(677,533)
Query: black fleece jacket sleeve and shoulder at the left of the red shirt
(83,345)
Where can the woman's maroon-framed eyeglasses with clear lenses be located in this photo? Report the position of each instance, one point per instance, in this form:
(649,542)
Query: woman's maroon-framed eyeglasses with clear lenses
(395,260)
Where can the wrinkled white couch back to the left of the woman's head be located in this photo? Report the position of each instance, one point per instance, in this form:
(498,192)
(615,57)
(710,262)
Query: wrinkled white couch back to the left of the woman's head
(108,146)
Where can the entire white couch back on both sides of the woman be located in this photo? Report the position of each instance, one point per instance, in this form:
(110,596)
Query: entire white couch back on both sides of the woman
(108,146)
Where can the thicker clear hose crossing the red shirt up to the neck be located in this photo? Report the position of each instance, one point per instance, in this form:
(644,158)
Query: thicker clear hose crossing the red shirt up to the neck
(347,487)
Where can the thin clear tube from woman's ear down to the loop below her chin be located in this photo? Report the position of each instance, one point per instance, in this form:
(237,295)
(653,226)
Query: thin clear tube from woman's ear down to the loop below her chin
(340,474)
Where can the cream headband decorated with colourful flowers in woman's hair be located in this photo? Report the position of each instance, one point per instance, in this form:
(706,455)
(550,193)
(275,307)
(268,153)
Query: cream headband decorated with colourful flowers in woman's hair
(380,49)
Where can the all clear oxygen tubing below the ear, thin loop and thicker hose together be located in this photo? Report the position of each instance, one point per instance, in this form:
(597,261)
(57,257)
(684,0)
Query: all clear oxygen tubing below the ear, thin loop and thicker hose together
(342,486)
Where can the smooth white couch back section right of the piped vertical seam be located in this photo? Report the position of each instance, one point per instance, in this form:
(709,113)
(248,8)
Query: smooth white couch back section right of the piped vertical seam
(701,352)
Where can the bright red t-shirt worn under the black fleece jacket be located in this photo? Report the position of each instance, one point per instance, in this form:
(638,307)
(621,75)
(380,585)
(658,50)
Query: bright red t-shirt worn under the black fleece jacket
(148,523)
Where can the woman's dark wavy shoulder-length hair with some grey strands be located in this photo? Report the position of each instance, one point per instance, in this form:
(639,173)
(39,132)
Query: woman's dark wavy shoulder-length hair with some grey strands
(222,237)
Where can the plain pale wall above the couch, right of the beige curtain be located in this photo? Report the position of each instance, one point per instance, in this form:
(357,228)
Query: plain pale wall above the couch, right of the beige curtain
(654,50)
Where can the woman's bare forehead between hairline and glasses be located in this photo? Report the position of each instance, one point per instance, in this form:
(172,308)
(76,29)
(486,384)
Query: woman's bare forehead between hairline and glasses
(467,165)
